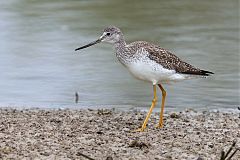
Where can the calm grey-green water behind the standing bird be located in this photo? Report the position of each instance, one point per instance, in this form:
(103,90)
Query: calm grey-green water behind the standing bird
(39,67)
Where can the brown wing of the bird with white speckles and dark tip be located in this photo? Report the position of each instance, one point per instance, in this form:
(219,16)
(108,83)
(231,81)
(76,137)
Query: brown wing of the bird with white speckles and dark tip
(172,62)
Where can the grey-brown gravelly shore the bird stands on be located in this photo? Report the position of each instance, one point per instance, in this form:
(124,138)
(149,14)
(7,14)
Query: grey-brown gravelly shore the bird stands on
(107,134)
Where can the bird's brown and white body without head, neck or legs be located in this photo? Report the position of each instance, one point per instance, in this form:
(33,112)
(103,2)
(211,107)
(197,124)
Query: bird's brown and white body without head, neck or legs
(152,63)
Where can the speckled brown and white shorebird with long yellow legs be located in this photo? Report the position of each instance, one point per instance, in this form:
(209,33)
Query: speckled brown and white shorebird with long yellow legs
(150,63)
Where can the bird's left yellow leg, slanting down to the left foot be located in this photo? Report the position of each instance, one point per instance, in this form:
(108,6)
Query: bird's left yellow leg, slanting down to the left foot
(154,101)
